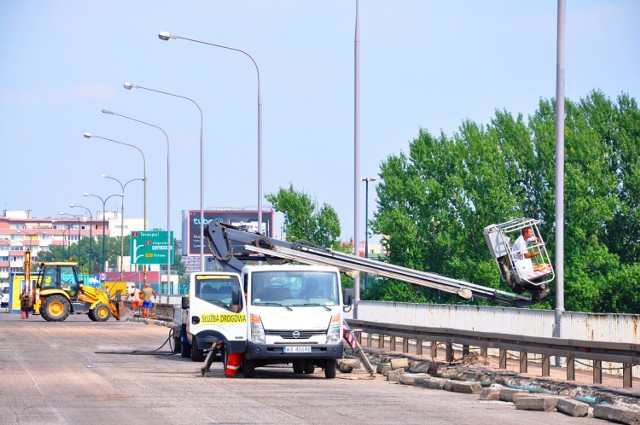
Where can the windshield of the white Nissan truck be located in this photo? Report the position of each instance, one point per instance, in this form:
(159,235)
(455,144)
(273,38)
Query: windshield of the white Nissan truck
(295,288)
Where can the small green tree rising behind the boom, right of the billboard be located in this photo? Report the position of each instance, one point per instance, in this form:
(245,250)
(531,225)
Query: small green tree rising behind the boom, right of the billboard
(305,220)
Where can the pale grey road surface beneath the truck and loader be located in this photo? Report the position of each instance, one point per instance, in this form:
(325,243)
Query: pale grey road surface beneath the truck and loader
(119,372)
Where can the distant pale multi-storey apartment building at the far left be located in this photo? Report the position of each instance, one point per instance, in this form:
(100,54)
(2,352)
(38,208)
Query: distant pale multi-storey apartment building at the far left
(19,232)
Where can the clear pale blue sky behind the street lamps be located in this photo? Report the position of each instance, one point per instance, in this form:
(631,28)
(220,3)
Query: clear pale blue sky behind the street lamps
(424,64)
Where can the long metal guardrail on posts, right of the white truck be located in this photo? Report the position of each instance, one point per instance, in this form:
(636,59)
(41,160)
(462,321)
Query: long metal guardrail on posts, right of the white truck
(628,354)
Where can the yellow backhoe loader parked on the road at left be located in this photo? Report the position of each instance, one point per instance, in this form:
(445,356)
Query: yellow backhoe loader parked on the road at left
(59,293)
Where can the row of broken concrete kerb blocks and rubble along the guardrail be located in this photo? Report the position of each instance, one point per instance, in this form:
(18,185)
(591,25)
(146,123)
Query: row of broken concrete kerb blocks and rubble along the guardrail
(526,393)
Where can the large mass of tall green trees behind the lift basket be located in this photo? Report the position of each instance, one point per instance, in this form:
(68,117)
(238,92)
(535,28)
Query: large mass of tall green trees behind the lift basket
(434,202)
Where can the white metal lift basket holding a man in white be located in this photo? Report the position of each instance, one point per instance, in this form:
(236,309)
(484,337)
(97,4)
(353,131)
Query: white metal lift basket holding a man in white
(521,256)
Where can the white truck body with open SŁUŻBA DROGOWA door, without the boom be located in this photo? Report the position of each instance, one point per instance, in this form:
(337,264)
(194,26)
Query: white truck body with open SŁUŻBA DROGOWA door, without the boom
(279,314)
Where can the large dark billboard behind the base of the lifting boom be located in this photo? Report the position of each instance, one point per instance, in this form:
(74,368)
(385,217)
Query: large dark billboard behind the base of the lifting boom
(247,219)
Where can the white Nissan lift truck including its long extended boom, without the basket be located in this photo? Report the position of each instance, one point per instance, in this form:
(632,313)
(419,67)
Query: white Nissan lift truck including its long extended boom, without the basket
(256,315)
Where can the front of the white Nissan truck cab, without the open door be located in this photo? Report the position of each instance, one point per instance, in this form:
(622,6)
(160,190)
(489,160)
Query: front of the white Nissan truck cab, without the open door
(295,317)
